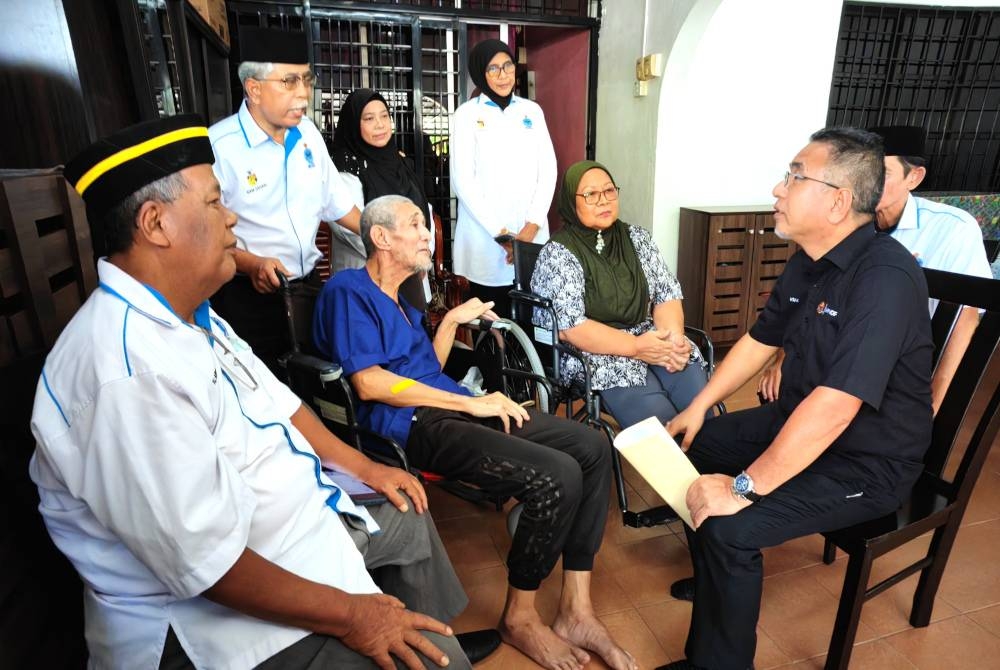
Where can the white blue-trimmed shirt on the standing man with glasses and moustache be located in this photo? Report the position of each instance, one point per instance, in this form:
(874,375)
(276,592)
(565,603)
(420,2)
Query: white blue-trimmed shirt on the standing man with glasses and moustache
(279,193)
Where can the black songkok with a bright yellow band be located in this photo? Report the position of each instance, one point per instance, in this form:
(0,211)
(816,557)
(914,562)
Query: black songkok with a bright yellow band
(112,169)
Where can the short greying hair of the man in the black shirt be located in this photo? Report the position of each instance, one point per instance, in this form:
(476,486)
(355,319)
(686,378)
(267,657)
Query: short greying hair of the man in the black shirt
(857,156)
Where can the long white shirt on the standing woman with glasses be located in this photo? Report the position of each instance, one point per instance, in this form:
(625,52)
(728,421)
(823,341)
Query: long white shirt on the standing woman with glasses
(503,171)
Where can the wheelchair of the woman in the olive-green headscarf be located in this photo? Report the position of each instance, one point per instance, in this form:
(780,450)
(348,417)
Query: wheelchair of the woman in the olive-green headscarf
(546,355)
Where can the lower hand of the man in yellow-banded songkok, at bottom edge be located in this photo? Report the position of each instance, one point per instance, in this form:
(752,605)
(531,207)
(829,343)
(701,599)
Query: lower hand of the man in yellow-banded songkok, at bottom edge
(381,627)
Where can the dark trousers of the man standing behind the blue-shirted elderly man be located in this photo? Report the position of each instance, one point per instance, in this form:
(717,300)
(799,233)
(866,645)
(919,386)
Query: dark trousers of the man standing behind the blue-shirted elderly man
(258,318)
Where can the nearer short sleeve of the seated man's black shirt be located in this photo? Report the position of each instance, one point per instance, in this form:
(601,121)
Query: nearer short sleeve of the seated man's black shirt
(874,334)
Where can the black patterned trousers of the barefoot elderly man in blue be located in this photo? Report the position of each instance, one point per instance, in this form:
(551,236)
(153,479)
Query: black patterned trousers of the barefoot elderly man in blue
(559,469)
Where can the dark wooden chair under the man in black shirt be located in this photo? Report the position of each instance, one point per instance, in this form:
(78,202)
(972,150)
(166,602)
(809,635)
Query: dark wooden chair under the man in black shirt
(964,430)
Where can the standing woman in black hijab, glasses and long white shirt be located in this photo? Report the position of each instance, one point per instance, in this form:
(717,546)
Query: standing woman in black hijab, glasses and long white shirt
(503,170)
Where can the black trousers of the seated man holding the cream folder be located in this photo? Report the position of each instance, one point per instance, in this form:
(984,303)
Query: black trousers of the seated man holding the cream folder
(726,550)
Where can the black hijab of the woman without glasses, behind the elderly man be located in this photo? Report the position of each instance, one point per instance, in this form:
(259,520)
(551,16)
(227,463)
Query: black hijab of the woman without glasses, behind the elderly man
(382,170)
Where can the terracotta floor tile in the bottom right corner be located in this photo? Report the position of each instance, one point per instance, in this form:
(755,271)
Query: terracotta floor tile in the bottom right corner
(958,642)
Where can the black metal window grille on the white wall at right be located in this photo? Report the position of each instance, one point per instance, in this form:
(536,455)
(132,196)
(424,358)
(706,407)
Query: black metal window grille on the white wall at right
(930,67)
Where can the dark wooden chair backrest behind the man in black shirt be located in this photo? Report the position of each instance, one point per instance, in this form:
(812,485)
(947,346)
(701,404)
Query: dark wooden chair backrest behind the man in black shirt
(968,418)
